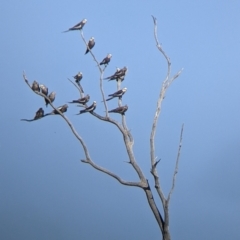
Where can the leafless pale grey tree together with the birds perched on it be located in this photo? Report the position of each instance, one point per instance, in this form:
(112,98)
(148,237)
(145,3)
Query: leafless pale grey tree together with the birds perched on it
(161,218)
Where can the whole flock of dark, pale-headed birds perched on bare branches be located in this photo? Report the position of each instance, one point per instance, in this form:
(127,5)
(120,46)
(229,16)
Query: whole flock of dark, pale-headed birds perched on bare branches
(119,75)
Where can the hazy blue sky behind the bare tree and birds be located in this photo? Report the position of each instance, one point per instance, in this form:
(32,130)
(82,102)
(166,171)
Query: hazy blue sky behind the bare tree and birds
(46,193)
